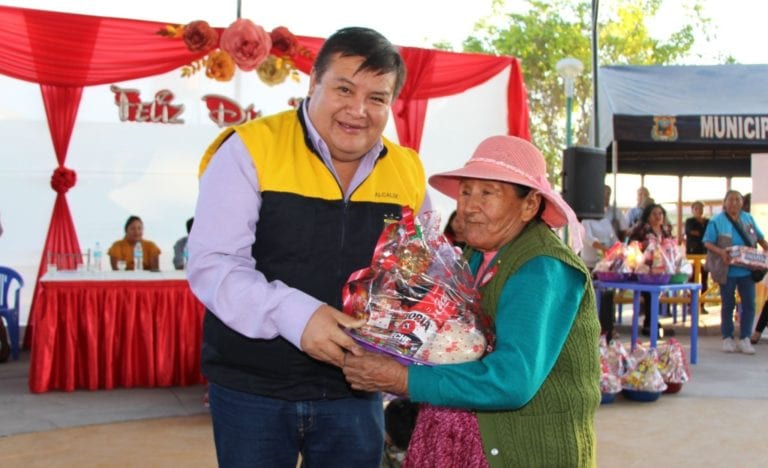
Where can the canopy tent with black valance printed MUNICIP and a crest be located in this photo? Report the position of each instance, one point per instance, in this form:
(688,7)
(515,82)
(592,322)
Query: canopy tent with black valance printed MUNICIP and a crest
(687,121)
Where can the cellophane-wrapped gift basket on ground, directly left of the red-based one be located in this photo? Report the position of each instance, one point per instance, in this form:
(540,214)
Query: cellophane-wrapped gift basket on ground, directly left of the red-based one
(643,381)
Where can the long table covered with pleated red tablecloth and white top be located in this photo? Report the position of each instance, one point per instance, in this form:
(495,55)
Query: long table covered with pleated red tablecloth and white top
(105,330)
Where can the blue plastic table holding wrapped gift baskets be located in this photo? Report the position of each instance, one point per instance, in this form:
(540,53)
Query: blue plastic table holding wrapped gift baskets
(655,291)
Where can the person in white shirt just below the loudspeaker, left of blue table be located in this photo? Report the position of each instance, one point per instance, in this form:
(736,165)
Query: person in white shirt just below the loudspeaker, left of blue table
(599,236)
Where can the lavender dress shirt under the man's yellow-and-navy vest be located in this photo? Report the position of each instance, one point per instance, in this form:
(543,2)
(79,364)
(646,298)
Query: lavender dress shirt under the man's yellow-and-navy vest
(222,272)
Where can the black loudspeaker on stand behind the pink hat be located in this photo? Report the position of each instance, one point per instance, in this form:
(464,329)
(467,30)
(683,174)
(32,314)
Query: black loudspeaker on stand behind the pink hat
(584,180)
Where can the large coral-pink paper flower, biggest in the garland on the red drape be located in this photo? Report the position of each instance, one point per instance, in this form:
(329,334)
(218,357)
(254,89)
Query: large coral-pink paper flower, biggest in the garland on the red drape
(247,43)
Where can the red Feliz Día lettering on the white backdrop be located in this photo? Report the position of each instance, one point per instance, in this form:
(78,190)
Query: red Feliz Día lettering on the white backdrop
(221,110)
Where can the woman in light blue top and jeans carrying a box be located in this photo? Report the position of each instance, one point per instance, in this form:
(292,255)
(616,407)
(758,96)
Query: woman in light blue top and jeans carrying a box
(733,226)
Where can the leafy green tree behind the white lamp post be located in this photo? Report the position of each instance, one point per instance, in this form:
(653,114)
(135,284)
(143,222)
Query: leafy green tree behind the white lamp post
(552,30)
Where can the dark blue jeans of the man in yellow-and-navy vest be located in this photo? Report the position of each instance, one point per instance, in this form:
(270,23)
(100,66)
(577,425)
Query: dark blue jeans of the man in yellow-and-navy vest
(254,431)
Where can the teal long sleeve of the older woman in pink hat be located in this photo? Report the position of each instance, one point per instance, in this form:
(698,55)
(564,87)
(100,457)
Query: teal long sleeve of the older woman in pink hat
(535,313)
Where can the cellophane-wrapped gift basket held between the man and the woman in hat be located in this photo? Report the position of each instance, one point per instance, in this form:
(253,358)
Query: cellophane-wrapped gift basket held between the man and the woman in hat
(417,297)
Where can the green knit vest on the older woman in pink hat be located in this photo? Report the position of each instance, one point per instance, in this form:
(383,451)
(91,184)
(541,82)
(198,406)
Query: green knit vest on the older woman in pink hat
(557,427)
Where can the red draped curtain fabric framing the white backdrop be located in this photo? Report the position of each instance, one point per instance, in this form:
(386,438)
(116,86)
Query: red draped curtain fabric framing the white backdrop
(64,52)
